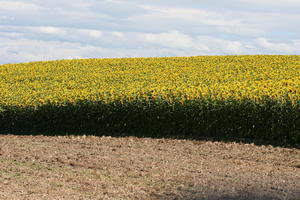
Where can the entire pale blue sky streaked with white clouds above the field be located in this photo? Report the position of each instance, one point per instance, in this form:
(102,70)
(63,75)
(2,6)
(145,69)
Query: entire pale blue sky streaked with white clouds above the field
(34,30)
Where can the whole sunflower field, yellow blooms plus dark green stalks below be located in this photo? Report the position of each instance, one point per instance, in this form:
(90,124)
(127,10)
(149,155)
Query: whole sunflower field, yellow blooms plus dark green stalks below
(247,97)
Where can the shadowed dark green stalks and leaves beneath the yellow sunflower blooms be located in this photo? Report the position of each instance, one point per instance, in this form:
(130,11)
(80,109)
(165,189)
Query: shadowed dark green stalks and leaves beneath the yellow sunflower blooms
(267,122)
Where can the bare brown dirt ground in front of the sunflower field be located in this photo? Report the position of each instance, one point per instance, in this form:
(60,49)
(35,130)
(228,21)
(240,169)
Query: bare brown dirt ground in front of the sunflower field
(87,167)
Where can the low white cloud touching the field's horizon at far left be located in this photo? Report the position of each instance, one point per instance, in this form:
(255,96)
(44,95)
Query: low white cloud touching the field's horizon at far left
(26,50)
